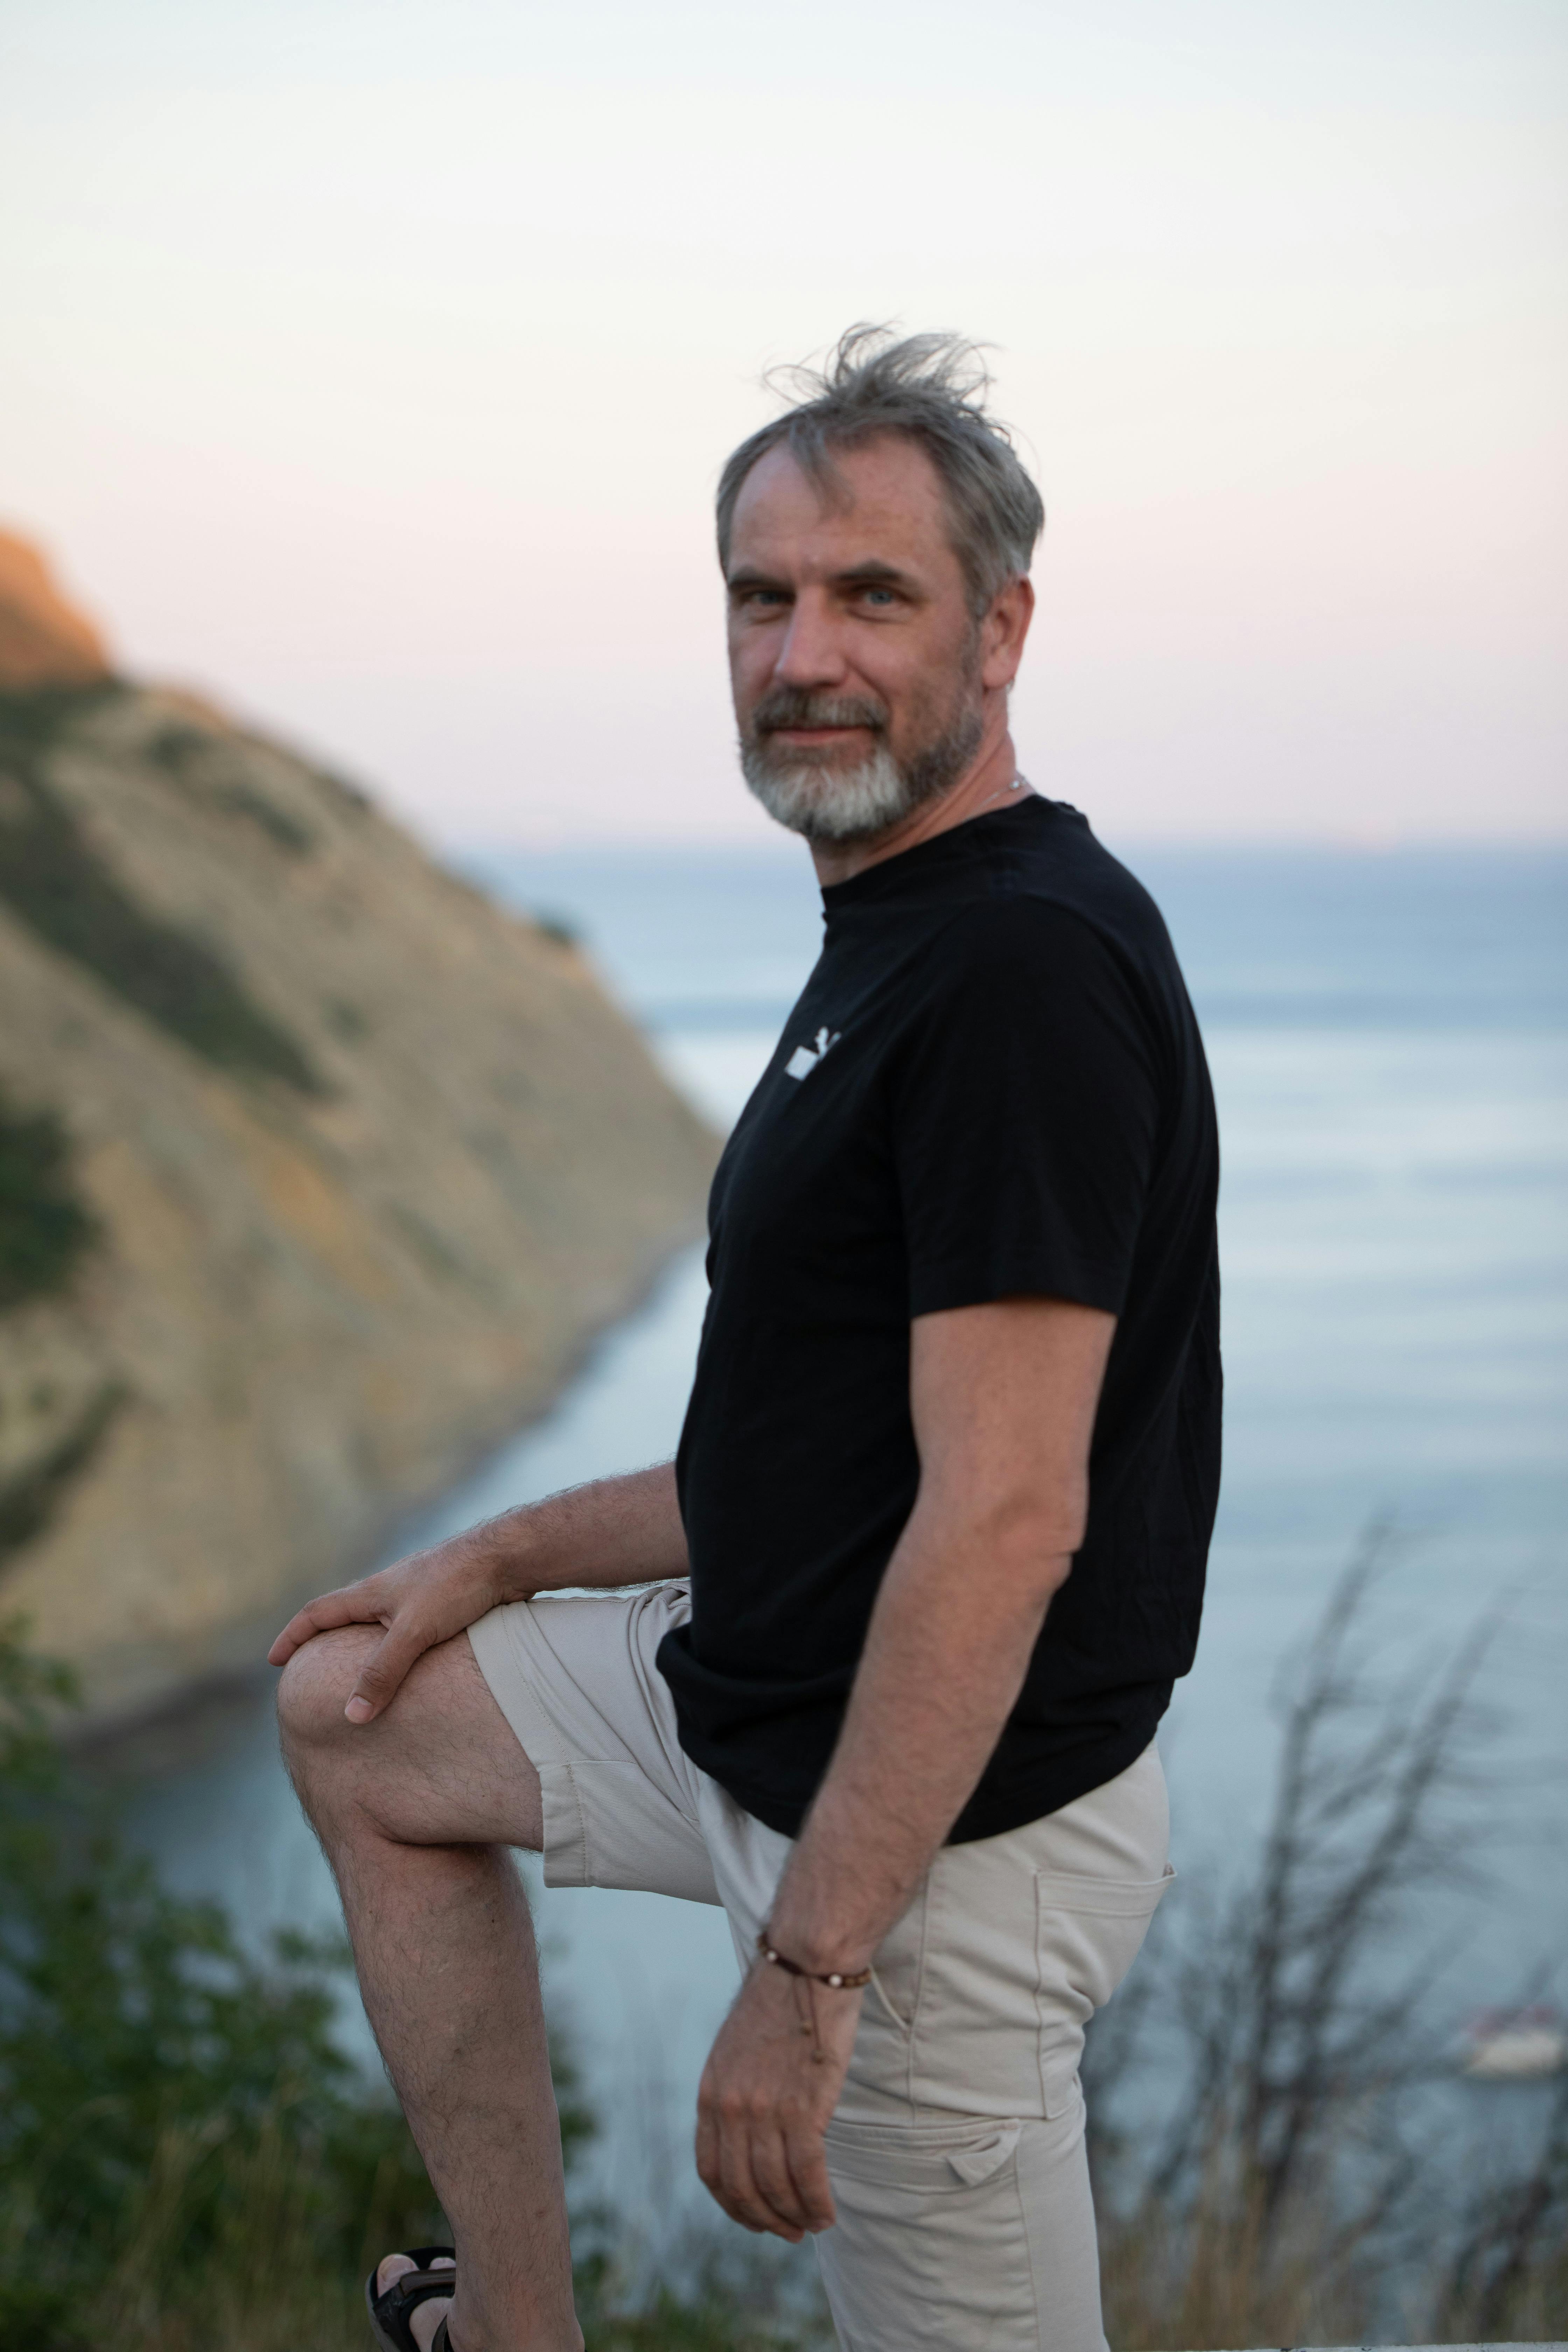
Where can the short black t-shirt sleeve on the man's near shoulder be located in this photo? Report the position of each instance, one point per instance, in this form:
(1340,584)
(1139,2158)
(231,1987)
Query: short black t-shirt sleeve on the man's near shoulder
(1026,1114)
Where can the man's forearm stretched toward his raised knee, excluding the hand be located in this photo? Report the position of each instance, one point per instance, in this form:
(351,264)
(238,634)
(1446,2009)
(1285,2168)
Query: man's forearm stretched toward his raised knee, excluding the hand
(612,1532)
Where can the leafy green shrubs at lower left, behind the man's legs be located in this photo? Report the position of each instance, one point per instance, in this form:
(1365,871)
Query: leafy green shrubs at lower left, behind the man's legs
(187,2156)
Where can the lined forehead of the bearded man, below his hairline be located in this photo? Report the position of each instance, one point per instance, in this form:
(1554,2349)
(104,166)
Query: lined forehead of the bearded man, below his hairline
(887,505)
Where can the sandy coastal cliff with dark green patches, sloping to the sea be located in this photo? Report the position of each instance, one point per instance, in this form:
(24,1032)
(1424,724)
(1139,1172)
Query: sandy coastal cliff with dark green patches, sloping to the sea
(316,1168)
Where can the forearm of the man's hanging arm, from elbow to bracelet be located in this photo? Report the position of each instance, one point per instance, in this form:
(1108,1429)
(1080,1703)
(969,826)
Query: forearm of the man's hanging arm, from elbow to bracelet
(946,1655)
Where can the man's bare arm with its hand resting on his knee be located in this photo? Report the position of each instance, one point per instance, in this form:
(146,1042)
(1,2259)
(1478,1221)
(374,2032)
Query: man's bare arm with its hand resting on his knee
(615,1532)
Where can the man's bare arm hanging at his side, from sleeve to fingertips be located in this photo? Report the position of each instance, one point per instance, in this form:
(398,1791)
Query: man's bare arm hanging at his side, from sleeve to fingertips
(1003,1403)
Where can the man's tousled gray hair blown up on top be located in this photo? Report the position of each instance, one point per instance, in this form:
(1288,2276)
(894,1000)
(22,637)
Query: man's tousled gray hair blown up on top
(930,387)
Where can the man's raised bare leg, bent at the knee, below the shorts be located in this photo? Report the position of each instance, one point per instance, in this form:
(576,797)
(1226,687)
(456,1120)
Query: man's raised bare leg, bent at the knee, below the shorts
(415,1815)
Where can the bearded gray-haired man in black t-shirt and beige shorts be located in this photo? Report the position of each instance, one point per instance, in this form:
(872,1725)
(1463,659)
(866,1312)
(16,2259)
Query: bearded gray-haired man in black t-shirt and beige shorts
(880,1657)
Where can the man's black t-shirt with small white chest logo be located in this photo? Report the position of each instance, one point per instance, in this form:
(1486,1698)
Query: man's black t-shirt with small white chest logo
(993,1085)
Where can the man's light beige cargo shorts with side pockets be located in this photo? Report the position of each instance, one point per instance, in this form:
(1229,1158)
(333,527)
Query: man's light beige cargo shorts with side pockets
(958,2146)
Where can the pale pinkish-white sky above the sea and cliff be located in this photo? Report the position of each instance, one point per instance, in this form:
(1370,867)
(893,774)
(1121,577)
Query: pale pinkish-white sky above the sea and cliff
(370,368)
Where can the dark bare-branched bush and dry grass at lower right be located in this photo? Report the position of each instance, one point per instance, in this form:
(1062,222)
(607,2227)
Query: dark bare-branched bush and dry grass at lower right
(1296,2189)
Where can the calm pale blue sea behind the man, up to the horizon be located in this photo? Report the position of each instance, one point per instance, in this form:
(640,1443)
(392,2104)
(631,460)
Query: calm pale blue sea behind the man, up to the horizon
(1388,1036)
